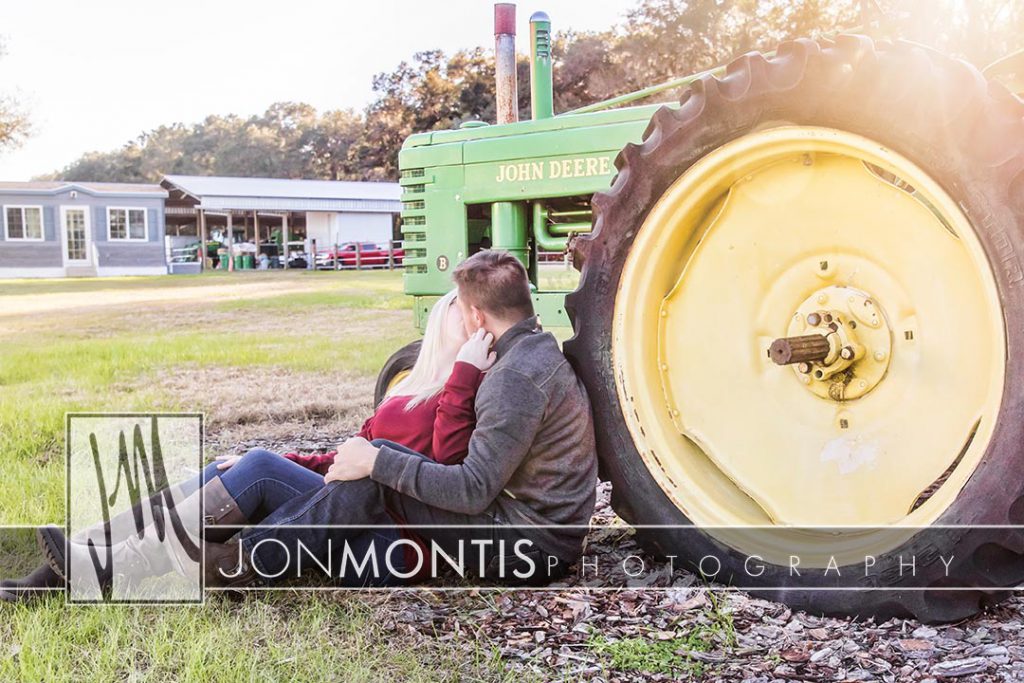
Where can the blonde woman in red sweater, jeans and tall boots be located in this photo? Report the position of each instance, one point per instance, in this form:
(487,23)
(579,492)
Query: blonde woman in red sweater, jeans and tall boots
(431,412)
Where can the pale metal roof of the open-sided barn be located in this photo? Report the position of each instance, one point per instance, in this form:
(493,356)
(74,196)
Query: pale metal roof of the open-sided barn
(289,195)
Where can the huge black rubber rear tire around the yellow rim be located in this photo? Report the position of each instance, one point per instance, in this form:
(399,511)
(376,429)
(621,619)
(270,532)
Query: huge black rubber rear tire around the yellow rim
(969,137)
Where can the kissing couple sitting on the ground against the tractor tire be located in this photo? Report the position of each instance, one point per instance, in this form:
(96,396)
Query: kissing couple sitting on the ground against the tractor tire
(486,452)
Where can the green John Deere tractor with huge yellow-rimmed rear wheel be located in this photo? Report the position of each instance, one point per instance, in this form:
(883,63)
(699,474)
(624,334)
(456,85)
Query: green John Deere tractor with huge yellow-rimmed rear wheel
(800,314)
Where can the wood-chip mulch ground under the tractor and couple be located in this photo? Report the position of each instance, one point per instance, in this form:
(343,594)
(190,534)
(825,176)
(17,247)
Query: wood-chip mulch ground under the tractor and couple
(647,631)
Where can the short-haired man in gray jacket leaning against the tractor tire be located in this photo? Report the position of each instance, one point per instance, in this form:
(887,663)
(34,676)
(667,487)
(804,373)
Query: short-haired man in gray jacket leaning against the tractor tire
(518,508)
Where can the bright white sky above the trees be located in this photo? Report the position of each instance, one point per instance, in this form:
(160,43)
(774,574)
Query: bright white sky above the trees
(96,75)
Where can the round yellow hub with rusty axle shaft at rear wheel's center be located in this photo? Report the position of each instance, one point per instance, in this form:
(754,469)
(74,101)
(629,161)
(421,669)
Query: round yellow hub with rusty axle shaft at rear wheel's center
(839,344)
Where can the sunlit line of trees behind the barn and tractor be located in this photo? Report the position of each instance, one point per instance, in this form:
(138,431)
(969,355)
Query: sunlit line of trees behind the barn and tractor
(658,40)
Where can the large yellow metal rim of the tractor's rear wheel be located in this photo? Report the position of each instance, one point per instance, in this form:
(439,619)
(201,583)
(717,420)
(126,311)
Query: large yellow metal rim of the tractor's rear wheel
(735,255)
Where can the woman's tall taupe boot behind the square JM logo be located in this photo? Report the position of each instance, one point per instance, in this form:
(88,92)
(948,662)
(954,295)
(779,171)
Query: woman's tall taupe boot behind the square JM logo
(146,554)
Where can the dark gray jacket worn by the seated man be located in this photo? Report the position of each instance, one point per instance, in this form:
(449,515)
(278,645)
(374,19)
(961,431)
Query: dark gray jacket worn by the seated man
(532,459)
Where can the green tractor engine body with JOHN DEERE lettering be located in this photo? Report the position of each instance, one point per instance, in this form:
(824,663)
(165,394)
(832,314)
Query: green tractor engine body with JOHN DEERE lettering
(540,174)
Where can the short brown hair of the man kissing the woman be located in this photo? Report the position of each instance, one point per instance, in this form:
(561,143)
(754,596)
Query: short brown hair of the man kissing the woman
(495,282)
